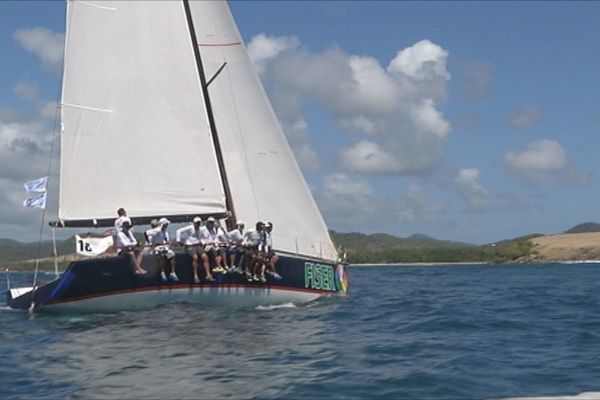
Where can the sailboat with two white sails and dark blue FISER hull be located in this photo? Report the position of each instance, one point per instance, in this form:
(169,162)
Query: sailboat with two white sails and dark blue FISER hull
(163,113)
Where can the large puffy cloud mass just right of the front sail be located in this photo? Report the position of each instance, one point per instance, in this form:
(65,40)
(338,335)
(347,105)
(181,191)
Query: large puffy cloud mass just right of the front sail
(395,106)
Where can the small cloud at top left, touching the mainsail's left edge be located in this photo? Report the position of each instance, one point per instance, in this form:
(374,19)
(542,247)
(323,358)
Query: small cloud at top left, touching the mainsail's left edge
(46,45)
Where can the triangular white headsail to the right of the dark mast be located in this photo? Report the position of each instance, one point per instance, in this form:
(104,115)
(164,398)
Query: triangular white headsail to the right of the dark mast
(265,180)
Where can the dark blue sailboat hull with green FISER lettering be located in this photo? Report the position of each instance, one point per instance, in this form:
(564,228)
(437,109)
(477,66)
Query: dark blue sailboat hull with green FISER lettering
(109,284)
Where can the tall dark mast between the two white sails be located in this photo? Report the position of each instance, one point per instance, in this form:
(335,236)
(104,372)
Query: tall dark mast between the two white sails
(211,119)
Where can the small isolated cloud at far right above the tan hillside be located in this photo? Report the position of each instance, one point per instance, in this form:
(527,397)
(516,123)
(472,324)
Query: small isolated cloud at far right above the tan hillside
(544,162)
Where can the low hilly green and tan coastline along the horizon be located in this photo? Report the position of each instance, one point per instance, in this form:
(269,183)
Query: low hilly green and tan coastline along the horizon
(579,243)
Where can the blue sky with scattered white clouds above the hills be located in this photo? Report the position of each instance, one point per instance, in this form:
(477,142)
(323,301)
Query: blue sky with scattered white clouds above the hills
(466,121)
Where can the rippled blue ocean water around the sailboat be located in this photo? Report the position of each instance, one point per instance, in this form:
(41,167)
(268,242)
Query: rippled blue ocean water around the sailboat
(410,332)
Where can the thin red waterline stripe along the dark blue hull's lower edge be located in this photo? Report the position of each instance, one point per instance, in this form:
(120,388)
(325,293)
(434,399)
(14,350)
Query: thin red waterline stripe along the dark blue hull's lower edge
(168,287)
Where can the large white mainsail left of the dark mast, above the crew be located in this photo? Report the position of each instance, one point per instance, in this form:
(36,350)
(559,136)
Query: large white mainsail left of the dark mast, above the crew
(135,130)
